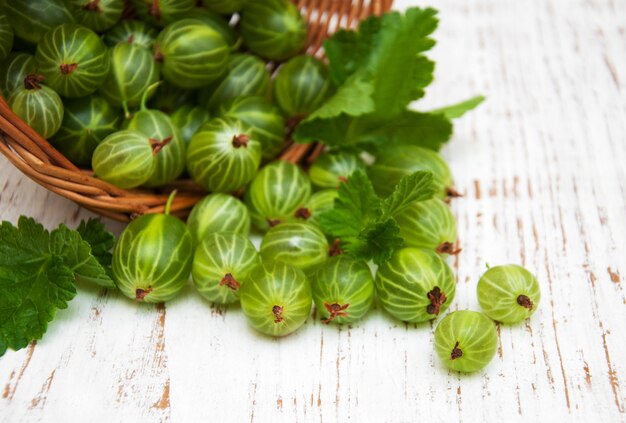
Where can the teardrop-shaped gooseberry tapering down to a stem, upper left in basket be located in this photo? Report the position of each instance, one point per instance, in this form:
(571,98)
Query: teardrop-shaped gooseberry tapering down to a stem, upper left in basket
(133,70)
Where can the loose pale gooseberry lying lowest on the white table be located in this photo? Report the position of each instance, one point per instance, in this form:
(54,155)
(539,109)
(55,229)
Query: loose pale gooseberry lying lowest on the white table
(466,341)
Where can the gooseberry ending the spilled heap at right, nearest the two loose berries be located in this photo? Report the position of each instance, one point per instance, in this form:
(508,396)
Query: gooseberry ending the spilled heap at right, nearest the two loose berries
(415,285)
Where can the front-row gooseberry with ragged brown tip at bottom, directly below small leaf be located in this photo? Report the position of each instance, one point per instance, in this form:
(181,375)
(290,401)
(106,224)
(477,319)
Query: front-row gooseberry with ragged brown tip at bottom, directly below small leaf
(343,290)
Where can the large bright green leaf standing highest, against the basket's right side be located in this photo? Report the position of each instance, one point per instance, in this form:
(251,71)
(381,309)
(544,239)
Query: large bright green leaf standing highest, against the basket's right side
(380,70)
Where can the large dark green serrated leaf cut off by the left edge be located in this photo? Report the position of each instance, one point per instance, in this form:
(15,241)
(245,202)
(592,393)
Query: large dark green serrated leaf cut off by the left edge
(34,282)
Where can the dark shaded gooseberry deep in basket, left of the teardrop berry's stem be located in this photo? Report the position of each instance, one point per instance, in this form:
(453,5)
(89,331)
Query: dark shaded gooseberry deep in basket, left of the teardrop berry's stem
(86,122)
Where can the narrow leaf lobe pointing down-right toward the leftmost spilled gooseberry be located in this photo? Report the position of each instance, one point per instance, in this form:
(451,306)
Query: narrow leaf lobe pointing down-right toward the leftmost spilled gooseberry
(76,254)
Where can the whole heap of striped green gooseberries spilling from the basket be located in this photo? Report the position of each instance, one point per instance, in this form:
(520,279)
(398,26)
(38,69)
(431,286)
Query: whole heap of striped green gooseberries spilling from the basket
(171,89)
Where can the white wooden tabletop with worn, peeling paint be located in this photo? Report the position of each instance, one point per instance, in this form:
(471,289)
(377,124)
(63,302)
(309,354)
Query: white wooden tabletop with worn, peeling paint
(542,166)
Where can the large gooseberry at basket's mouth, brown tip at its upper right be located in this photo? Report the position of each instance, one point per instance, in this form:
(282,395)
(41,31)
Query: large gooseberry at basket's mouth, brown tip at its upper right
(222,156)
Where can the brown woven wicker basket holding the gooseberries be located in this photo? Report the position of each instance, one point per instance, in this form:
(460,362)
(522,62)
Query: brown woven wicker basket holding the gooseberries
(36,158)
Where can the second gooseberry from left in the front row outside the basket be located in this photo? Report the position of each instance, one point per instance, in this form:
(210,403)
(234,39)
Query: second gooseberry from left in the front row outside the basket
(222,263)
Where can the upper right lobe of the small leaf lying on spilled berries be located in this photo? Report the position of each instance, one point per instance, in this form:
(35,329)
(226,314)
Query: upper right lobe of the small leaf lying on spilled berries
(417,186)
